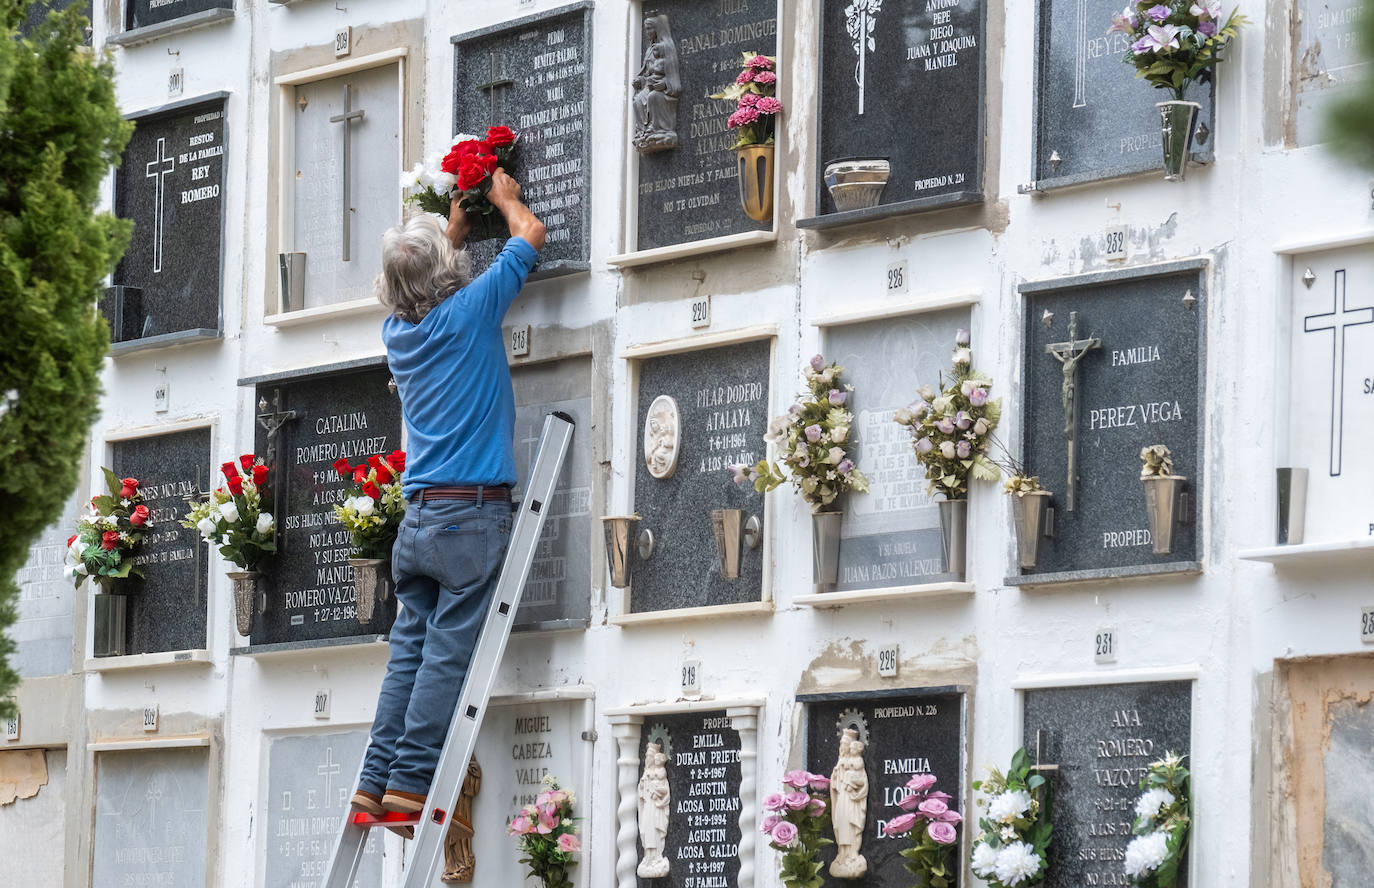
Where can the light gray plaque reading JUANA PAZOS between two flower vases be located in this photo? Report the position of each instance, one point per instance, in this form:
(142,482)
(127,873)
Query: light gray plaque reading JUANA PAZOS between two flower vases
(891,537)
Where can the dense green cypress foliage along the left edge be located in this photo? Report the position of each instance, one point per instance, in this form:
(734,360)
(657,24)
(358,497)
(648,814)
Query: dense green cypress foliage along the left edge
(61,133)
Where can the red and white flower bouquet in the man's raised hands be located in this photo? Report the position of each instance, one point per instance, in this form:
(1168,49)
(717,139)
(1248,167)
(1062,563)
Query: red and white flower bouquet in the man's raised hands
(465,171)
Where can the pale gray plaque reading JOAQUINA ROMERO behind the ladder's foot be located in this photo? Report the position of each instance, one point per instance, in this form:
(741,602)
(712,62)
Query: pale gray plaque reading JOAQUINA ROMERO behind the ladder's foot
(310,784)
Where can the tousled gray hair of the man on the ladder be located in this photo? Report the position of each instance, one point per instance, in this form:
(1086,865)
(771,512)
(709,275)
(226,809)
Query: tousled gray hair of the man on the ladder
(420,269)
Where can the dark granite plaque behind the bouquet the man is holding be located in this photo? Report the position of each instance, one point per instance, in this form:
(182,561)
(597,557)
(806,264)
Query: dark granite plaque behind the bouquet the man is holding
(535,76)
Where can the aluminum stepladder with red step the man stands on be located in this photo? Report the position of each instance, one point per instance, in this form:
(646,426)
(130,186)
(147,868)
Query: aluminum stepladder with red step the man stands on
(432,824)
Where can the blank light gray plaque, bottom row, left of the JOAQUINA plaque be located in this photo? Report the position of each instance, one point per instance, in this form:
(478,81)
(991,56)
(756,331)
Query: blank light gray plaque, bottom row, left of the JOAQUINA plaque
(152,819)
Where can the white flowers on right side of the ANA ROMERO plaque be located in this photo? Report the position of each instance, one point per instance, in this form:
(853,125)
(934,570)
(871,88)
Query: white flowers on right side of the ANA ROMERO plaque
(1162,825)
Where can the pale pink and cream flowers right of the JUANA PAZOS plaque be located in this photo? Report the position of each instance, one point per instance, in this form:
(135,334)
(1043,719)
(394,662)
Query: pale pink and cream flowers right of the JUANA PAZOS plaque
(951,430)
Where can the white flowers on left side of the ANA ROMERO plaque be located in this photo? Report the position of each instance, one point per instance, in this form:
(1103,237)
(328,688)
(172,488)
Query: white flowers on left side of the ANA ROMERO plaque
(1013,838)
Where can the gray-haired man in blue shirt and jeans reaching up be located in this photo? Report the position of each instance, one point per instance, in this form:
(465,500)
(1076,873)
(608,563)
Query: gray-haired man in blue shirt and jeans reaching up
(446,351)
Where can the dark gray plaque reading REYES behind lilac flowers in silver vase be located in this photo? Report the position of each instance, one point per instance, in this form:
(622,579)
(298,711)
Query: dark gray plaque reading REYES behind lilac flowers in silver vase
(1094,119)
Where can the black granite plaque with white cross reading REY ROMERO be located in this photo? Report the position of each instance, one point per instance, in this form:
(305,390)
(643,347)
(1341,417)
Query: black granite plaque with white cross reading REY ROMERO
(171,185)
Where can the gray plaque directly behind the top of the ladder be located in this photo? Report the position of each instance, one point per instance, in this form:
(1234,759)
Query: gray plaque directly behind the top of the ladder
(559,590)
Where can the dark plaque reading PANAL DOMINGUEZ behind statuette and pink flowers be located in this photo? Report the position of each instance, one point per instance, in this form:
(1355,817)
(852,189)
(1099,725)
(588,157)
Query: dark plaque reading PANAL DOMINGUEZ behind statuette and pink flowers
(690,193)
